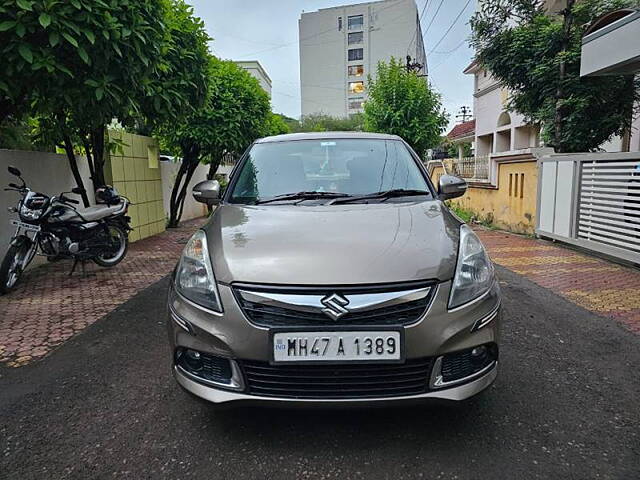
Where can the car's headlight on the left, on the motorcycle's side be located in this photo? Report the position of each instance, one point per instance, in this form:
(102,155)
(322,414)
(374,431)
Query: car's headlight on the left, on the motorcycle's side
(194,278)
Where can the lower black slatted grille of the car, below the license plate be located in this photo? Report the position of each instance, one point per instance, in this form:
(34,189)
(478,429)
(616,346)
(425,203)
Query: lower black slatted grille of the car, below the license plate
(337,381)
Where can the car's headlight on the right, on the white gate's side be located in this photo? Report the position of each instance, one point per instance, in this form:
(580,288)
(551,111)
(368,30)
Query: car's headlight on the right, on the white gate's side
(474,271)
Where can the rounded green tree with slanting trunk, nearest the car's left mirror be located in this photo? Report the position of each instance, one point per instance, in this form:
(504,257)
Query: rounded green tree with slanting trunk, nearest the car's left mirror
(236,113)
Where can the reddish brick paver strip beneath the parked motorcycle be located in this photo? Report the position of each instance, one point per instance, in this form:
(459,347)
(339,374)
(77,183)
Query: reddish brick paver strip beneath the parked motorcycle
(48,307)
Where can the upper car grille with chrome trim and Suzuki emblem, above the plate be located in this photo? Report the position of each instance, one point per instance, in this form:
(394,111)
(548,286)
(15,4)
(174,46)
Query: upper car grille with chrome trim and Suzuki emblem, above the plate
(270,315)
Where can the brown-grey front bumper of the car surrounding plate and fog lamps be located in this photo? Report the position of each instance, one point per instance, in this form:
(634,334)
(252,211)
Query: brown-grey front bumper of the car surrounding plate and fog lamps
(232,336)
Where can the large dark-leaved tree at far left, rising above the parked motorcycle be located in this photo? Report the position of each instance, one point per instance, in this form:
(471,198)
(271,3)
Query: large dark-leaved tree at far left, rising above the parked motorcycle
(79,64)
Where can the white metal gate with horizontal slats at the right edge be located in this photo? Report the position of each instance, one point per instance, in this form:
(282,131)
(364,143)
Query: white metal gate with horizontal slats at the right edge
(592,200)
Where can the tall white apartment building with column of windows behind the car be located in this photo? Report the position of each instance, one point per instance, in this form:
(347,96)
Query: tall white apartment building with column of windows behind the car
(341,46)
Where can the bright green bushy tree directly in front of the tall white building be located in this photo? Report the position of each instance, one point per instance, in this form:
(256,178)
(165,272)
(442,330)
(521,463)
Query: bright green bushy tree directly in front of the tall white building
(403,103)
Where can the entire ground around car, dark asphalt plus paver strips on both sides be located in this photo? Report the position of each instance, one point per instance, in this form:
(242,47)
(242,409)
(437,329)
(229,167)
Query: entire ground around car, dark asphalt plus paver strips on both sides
(103,404)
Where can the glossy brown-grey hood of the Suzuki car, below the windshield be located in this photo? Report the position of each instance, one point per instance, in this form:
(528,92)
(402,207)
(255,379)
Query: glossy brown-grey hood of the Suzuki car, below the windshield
(333,244)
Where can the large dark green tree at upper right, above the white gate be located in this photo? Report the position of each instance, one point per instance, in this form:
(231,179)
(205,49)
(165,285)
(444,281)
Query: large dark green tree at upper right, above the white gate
(537,56)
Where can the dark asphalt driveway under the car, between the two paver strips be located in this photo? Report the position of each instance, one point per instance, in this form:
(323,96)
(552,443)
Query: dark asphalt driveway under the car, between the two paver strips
(103,406)
